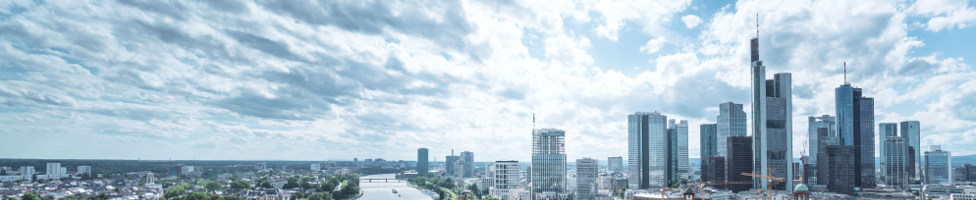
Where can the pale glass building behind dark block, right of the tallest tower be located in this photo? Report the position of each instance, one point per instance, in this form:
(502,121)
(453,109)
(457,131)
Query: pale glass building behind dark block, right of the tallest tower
(819,129)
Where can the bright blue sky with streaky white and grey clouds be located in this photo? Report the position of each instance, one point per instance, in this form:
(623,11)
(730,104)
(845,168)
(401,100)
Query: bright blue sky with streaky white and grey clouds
(336,80)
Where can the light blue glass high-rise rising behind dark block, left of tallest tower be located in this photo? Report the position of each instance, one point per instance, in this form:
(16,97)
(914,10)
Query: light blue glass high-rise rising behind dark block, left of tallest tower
(731,122)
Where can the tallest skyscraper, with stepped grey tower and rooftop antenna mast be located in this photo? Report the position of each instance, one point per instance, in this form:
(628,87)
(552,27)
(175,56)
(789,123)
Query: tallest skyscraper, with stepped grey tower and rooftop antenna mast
(772,123)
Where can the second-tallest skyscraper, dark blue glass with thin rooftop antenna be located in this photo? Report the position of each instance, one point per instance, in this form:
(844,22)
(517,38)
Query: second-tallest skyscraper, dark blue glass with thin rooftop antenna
(855,123)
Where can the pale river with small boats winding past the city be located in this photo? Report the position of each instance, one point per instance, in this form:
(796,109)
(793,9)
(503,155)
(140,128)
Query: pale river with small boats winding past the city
(382,190)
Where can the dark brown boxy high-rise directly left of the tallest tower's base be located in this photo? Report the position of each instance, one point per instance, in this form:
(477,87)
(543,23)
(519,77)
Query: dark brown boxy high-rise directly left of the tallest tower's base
(739,161)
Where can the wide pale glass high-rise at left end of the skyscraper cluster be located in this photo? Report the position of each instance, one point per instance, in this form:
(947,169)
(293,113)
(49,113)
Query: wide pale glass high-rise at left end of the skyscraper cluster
(647,150)
